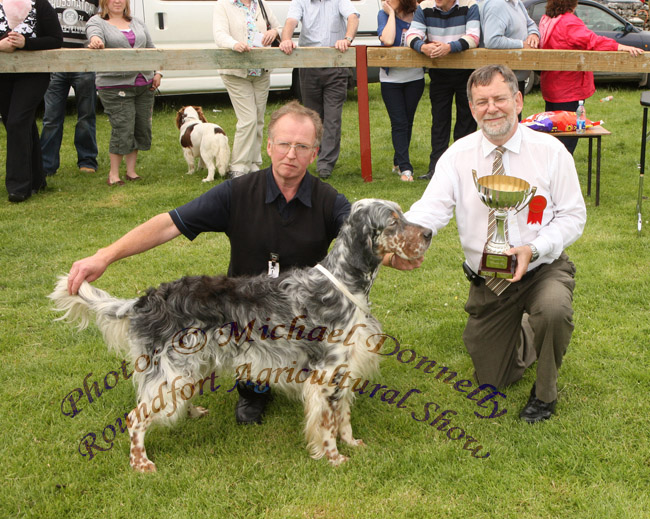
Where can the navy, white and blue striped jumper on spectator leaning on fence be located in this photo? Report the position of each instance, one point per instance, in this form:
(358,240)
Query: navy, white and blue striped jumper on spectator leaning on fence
(459,27)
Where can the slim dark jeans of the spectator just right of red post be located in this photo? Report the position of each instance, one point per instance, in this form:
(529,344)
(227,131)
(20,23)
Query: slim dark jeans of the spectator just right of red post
(401,100)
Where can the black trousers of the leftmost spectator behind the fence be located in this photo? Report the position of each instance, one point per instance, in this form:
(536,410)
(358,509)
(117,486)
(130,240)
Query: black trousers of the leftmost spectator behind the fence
(20,95)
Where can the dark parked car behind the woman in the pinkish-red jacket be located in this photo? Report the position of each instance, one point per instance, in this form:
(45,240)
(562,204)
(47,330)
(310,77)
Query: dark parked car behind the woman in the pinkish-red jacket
(604,22)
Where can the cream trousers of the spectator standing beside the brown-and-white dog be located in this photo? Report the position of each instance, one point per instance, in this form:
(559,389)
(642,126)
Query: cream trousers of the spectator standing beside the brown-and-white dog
(248,97)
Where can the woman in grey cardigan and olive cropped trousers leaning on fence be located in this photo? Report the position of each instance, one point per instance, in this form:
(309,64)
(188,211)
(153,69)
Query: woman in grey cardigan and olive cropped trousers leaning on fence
(127,97)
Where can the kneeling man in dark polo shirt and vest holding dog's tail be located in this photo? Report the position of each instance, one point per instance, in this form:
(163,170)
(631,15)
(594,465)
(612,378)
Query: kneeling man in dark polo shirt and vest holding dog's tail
(276,218)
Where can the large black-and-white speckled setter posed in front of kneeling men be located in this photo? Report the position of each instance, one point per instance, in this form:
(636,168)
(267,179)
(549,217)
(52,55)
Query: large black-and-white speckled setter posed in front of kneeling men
(308,322)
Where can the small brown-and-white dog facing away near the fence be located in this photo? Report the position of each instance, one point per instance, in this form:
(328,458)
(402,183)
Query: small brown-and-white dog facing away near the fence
(204,140)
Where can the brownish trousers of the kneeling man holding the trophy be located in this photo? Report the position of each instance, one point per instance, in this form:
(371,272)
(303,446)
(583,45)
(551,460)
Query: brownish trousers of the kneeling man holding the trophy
(532,319)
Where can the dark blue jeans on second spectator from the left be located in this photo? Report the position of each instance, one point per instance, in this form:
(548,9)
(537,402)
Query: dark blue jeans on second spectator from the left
(56,97)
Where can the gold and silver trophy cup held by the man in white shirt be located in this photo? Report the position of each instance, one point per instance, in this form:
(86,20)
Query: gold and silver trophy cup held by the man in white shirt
(501,193)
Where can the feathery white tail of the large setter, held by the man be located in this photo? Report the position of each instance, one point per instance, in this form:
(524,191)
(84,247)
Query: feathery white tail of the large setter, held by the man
(111,314)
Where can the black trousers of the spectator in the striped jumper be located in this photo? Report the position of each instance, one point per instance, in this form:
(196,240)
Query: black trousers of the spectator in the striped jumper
(445,84)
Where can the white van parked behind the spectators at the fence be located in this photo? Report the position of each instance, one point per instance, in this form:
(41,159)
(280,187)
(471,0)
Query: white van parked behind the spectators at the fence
(187,24)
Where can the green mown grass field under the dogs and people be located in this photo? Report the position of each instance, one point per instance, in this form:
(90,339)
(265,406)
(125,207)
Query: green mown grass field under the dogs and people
(592,460)
